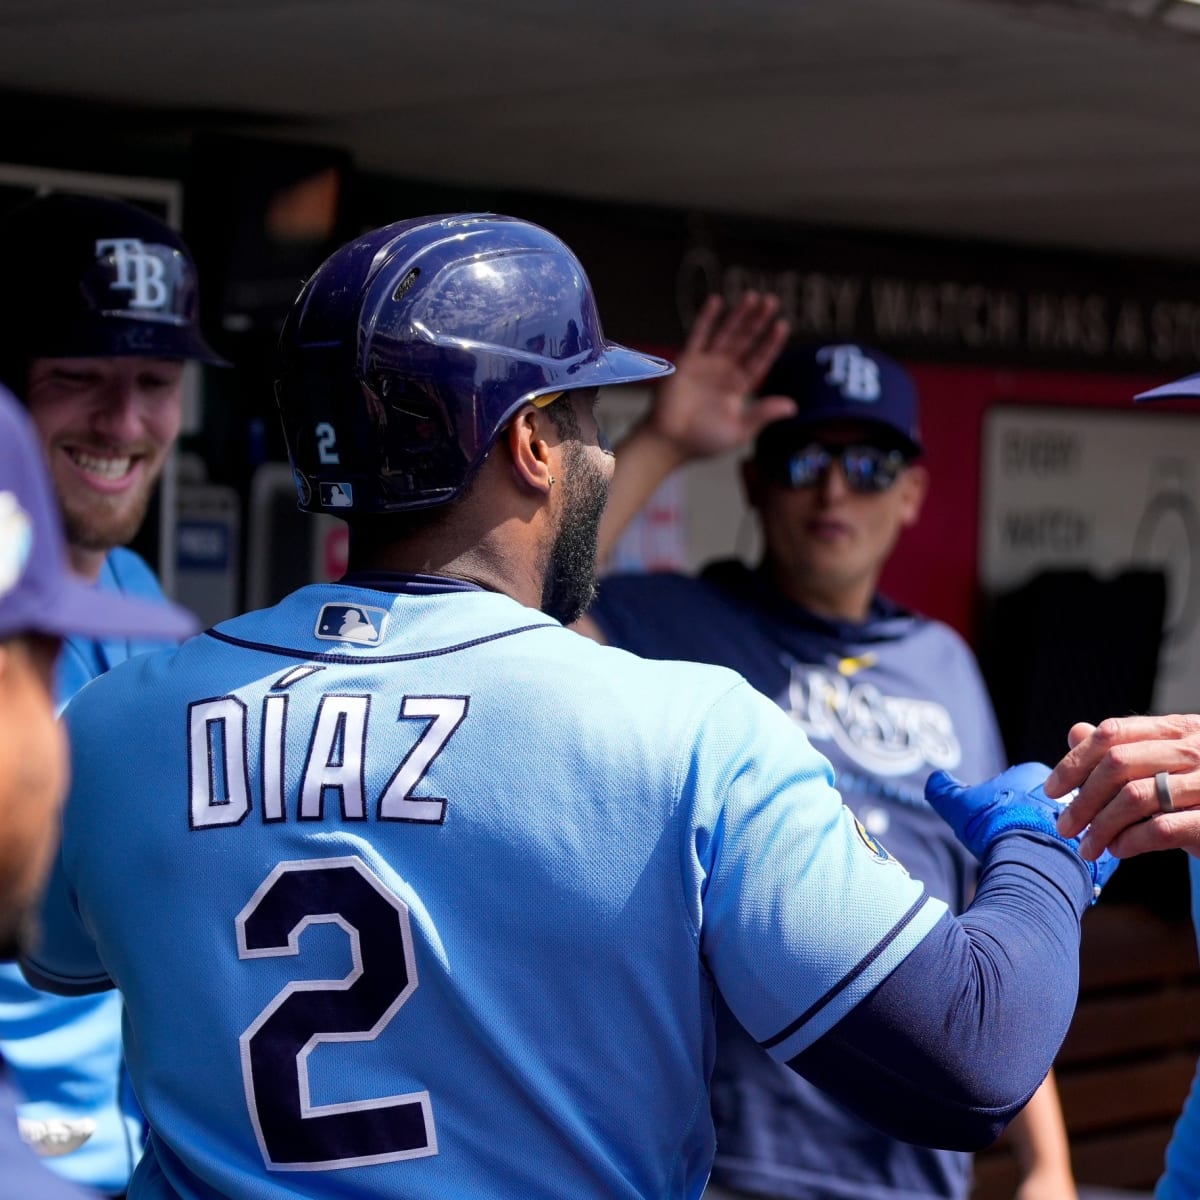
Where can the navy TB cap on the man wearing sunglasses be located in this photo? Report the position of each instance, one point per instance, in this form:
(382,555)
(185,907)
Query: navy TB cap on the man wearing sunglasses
(842,382)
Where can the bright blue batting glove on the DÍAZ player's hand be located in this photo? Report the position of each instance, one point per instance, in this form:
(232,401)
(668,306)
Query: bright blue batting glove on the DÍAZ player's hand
(1012,802)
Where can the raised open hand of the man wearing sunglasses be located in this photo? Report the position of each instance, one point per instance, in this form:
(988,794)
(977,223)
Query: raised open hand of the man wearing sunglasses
(706,407)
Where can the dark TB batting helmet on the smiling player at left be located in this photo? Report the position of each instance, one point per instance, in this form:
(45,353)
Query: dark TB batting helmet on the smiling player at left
(87,277)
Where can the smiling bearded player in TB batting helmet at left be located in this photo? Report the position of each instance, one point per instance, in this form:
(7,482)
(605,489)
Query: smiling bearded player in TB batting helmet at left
(99,321)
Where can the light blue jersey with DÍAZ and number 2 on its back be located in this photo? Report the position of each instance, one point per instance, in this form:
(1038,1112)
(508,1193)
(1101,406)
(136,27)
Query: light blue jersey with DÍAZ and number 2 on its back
(415,892)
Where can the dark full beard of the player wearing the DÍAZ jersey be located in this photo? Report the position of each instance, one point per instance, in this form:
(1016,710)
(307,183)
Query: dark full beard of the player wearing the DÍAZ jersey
(571,580)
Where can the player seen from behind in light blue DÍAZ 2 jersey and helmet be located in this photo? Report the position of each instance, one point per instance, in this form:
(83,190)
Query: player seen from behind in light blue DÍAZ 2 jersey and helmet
(441,913)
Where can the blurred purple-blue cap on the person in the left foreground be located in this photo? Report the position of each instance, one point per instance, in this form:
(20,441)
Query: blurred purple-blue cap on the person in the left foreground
(39,595)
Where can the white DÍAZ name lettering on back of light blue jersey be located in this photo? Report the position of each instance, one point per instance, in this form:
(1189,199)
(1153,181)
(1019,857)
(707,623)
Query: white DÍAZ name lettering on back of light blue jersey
(332,746)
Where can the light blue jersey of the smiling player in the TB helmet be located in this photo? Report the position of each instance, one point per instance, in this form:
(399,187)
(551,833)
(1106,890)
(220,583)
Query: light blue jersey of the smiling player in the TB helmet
(64,1053)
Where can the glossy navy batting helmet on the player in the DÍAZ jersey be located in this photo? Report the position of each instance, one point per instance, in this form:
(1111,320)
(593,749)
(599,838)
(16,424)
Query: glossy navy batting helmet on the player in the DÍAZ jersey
(412,347)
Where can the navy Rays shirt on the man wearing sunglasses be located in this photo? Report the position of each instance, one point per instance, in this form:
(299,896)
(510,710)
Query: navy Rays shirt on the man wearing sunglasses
(887,700)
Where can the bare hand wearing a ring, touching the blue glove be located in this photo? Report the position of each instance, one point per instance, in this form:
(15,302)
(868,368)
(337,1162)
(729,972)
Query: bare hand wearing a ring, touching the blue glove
(1113,769)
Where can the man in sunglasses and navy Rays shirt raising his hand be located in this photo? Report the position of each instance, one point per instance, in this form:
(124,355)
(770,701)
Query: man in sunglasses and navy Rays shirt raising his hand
(886,695)
